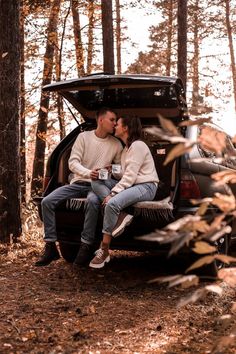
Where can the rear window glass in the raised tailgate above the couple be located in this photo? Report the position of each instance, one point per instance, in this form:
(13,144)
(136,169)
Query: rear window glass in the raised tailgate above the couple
(151,97)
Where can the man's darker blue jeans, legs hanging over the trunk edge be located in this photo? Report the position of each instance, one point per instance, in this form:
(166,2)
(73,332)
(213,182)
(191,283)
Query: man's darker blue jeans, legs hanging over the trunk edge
(59,195)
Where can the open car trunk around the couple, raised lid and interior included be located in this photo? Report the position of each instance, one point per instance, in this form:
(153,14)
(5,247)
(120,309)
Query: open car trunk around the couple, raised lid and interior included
(145,96)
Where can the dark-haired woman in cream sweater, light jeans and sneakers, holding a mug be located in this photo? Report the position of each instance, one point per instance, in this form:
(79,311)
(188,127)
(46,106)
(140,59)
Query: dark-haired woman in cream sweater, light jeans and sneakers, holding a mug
(138,183)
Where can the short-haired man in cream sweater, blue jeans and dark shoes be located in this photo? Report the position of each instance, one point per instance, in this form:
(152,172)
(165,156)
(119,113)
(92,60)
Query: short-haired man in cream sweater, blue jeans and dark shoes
(92,150)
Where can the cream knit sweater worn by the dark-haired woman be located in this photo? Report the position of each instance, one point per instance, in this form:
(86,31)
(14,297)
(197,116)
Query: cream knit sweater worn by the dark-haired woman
(137,166)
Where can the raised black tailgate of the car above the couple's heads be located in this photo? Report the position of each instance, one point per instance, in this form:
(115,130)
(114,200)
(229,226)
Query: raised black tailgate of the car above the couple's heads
(146,96)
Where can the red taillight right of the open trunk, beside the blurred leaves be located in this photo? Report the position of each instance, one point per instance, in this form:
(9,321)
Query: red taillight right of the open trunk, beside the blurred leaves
(189,188)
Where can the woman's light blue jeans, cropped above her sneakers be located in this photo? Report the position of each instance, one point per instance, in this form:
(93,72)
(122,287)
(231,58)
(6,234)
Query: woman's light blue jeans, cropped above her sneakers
(136,193)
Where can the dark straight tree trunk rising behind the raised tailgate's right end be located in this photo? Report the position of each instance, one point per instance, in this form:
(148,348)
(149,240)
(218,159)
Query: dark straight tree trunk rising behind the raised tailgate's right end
(182,41)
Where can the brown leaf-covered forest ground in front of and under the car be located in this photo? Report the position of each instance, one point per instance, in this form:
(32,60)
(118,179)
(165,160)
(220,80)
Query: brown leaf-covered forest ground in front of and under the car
(59,309)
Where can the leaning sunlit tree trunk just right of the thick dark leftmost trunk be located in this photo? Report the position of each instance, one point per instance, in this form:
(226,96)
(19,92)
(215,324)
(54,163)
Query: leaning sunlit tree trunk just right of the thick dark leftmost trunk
(38,165)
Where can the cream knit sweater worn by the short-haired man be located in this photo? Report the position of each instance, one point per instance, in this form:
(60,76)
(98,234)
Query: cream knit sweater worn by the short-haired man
(90,152)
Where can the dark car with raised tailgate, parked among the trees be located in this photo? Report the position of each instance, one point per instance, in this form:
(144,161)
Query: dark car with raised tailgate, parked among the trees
(185,178)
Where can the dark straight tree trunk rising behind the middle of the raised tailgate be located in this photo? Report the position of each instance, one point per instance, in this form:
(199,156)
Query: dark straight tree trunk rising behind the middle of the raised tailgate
(107,37)
